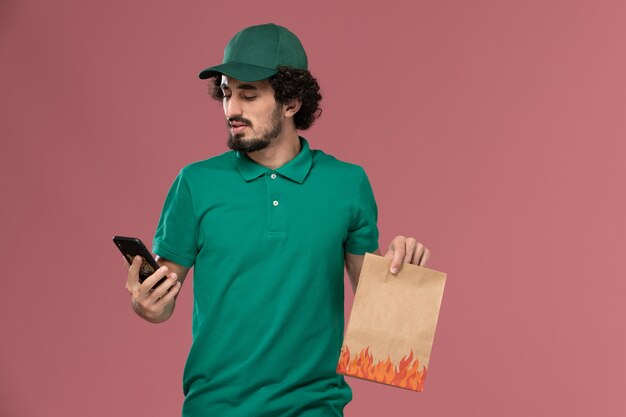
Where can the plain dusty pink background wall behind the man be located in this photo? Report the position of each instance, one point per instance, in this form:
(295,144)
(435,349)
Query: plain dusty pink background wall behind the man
(493,131)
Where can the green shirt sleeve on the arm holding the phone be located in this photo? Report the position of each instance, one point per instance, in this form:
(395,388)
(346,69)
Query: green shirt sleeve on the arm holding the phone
(175,237)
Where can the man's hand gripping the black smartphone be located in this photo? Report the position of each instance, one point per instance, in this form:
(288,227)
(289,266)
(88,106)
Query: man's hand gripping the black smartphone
(155,305)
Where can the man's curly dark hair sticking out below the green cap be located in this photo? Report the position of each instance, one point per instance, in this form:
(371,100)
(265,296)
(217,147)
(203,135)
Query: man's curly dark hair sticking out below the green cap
(288,84)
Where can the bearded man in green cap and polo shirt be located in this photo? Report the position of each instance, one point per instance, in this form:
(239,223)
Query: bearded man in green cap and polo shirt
(268,227)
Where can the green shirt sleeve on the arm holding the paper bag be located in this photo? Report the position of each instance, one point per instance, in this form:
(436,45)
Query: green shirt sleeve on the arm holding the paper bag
(363,232)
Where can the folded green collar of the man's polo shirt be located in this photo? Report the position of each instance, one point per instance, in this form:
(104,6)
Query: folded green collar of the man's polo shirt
(297,169)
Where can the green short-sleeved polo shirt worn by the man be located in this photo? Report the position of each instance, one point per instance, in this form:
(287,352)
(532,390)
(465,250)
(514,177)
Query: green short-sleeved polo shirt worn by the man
(268,251)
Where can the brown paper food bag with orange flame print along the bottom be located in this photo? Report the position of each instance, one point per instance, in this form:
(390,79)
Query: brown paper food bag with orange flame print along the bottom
(392,324)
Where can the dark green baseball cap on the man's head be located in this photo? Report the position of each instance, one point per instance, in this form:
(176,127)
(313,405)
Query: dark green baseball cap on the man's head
(256,52)
